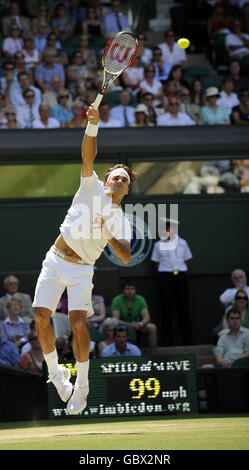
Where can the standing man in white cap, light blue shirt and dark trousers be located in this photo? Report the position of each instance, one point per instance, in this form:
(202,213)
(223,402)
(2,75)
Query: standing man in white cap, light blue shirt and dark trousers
(171,254)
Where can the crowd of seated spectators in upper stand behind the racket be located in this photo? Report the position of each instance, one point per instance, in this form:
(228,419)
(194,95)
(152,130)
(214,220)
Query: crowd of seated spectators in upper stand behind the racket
(50,70)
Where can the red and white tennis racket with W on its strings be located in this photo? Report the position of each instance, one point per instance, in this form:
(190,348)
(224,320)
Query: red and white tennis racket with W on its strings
(119,53)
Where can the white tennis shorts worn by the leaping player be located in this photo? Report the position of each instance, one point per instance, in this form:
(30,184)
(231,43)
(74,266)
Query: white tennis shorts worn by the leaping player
(58,274)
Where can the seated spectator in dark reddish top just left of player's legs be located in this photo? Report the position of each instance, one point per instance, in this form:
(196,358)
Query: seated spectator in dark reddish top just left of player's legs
(33,359)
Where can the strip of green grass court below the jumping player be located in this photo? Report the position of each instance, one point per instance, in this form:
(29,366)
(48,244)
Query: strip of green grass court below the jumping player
(155,433)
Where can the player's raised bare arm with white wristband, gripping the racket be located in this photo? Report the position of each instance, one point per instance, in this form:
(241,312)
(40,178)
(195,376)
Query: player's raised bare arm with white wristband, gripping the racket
(89,143)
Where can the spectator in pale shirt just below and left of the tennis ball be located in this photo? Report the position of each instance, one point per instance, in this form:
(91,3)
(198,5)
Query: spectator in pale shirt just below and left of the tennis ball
(172,53)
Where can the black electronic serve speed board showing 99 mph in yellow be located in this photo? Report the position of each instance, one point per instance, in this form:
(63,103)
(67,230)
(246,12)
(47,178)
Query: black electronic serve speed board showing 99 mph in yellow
(134,386)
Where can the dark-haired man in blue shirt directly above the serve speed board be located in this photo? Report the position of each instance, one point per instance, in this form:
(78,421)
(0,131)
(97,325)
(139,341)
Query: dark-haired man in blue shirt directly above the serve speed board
(121,346)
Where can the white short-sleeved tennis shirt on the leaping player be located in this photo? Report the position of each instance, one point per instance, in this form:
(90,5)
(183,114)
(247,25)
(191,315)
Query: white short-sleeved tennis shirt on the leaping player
(78,228)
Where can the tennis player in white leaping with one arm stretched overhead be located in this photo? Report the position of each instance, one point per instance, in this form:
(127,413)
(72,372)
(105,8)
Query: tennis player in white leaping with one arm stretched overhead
(94,219)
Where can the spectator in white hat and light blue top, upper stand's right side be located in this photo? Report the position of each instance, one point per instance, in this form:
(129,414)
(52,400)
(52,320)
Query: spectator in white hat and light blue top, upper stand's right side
(212,114)
